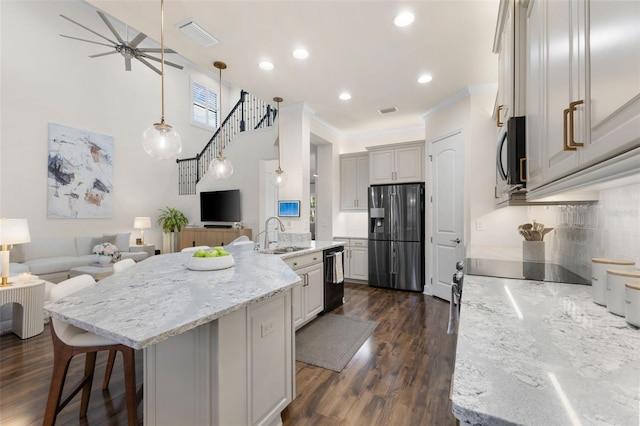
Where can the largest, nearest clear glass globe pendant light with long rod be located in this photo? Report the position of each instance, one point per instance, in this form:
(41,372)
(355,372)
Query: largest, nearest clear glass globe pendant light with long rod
(161,141)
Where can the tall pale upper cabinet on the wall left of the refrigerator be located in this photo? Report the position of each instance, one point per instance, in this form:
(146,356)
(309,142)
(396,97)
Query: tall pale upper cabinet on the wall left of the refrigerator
(354,181)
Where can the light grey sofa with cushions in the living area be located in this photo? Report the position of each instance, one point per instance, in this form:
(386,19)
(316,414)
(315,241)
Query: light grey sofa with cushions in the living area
(51,259)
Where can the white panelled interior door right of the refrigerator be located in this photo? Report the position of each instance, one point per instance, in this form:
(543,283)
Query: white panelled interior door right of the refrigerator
(447,212)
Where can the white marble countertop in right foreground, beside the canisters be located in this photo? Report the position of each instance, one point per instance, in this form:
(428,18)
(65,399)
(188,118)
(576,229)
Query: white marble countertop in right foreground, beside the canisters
(565,361)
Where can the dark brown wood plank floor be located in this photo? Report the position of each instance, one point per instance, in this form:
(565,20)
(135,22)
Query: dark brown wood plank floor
(400,376)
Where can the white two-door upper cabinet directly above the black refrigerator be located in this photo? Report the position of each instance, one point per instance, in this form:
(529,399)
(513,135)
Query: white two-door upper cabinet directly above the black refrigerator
(401,163)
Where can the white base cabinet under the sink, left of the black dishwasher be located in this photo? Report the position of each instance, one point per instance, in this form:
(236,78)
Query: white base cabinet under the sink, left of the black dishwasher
(308,299)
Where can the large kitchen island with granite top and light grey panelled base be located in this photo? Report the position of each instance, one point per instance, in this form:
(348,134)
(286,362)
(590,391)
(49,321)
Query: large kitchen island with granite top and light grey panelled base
(218,346)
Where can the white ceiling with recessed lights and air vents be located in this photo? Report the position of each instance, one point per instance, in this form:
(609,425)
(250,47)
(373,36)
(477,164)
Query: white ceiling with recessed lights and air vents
(353,46)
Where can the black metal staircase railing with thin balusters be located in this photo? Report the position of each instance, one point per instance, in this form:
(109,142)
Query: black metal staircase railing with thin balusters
(249,112)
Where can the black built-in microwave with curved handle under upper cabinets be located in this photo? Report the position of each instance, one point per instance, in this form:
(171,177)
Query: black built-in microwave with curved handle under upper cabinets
(511,155)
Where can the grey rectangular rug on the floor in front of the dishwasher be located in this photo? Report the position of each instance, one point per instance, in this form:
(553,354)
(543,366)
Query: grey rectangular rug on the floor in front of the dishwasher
(330,341)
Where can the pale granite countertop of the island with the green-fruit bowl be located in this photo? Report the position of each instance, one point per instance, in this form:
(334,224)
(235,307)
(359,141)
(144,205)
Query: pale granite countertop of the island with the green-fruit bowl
(159,297)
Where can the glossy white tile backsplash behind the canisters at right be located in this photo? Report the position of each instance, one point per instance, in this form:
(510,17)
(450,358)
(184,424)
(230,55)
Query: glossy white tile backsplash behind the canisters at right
(609,228)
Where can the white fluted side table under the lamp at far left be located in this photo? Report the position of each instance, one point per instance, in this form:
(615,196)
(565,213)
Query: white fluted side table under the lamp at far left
(28,318)
